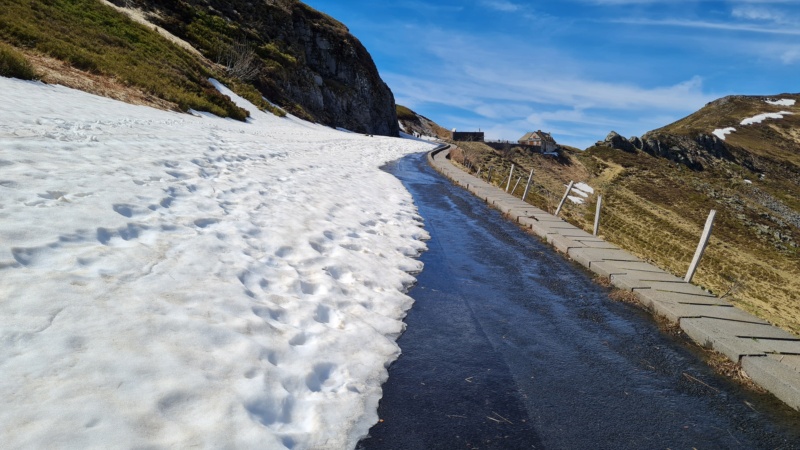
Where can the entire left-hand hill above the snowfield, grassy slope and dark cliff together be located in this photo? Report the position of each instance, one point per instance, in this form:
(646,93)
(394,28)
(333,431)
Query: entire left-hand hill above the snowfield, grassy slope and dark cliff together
(299,58)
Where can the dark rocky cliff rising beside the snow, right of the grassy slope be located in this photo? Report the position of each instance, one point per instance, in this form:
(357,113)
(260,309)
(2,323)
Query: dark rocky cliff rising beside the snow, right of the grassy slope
(304,61)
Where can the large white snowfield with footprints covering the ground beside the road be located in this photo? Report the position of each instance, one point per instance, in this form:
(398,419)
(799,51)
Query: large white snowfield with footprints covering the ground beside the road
(177,281)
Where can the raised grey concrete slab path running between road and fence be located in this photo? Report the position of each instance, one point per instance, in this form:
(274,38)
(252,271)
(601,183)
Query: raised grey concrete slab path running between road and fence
(770,356)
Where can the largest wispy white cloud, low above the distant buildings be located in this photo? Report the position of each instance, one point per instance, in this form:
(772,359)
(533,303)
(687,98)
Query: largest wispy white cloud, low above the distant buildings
(507,95)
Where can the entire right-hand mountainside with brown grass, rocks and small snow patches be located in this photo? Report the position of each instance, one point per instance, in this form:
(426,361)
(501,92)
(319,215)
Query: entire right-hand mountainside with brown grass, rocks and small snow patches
(658,189)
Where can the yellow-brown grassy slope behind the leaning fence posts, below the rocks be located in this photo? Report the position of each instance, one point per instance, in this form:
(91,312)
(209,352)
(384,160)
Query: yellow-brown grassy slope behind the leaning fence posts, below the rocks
(656,209)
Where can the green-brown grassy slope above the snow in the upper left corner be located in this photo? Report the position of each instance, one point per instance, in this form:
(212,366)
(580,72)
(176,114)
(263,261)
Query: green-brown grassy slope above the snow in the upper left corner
(99,41)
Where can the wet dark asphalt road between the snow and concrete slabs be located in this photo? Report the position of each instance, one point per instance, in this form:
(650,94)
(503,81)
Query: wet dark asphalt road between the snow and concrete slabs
(511,346)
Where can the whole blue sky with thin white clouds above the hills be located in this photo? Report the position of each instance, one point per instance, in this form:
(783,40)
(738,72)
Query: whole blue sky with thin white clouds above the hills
(576,68)
